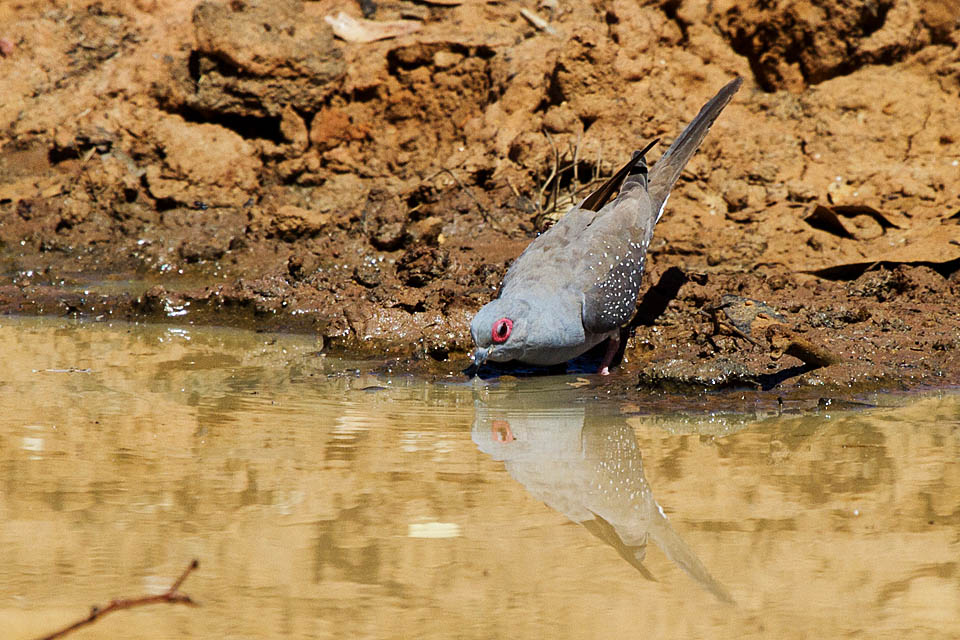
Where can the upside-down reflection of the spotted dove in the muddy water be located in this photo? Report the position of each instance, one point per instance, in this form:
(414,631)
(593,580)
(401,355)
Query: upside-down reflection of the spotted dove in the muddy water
(592,473)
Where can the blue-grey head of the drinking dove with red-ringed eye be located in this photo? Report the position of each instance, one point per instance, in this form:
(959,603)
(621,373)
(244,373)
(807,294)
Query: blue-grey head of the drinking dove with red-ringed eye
(499,330)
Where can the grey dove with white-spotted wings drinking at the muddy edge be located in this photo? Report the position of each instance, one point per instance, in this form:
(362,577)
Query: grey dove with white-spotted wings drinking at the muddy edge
(576,284)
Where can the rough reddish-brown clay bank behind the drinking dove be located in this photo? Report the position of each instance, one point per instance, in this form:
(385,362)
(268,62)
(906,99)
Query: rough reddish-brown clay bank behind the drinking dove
(235,163)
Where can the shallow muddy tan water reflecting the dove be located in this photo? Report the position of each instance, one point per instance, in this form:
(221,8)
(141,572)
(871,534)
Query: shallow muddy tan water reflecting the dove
(323,501)
